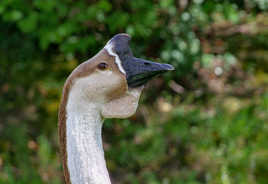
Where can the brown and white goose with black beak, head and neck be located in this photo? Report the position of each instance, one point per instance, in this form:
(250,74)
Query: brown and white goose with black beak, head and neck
(108,85)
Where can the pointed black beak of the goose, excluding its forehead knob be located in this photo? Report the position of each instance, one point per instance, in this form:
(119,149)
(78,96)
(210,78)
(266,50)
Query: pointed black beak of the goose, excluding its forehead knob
(140,71)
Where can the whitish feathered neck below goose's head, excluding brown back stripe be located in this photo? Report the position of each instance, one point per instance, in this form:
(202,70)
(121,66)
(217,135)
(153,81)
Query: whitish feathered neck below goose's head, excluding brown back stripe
(85,155)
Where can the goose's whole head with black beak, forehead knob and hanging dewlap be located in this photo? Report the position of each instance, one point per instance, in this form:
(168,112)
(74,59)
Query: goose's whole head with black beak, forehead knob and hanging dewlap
(113,79)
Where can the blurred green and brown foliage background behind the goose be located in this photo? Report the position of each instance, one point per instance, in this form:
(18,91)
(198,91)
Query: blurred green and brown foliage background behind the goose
(207,123)
